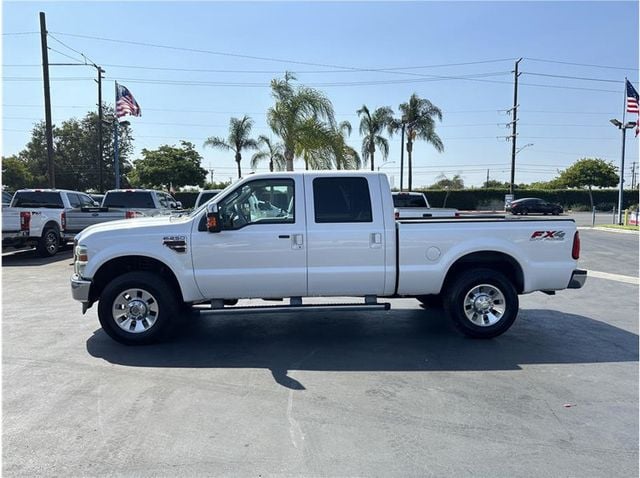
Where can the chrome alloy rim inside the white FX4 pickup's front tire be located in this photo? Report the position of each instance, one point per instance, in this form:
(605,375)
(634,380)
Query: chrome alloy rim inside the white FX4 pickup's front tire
(135,310)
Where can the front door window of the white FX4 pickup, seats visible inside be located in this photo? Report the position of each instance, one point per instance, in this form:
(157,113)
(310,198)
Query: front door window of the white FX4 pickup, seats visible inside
(259,202)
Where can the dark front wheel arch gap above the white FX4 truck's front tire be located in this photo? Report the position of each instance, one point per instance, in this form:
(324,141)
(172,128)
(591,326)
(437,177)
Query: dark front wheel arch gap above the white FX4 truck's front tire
(123,264)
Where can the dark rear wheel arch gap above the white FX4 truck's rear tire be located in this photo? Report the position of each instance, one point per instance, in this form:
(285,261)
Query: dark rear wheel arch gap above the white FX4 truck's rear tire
(498,261)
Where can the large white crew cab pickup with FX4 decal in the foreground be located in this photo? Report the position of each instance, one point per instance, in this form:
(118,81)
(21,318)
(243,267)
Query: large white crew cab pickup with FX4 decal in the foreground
(337,236)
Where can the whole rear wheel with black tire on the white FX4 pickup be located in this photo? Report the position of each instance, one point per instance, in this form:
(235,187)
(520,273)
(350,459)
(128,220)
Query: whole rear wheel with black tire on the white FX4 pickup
(482,303)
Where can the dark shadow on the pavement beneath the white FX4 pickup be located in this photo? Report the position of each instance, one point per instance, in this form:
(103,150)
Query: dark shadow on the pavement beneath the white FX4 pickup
(399,340)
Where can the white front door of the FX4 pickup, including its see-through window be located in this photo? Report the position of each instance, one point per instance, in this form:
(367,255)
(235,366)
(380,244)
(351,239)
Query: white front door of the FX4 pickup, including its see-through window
(261,250)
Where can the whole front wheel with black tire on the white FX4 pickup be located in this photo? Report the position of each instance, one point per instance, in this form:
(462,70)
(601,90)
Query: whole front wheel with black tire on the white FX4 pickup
(151,304)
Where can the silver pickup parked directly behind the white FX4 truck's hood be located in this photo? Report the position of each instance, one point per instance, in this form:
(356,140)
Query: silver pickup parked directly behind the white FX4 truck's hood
(122,204)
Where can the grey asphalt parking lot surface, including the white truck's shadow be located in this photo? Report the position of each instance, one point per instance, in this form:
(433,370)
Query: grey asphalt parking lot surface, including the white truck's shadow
(397,393)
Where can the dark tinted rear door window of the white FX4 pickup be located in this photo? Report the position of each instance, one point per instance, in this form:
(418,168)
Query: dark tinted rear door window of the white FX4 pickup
(341,200)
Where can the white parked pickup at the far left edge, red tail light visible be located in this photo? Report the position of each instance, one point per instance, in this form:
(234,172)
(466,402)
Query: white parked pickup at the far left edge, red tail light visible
(37,217)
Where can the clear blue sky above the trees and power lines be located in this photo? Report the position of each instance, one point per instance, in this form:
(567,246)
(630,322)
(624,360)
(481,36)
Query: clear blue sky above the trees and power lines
(193,66)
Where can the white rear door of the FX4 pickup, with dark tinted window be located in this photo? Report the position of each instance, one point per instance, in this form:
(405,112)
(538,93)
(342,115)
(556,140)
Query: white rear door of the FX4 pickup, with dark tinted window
(345,235)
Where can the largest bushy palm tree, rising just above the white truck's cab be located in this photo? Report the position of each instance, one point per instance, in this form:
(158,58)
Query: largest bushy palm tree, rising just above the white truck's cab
(295,115)
